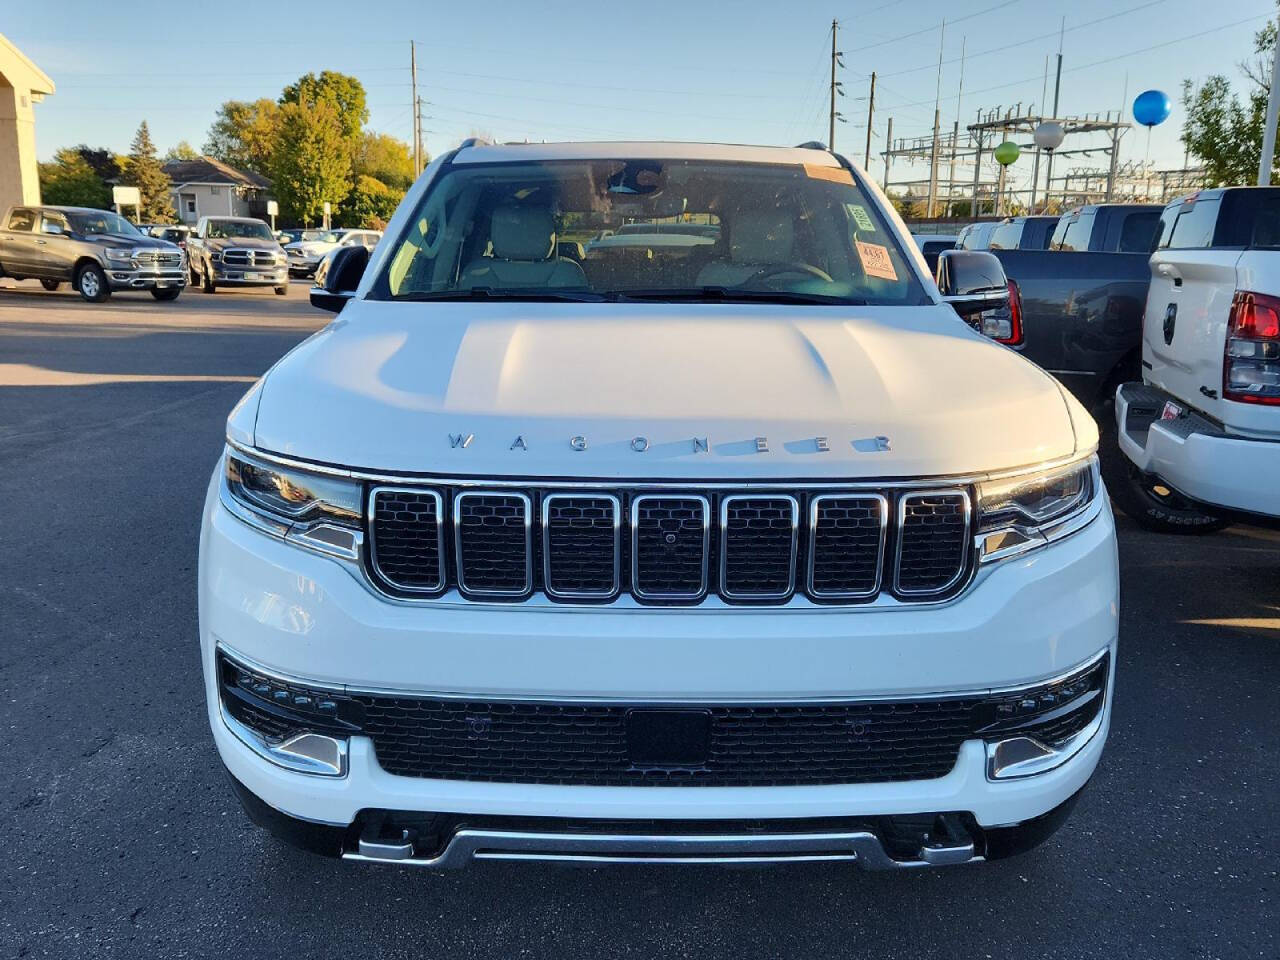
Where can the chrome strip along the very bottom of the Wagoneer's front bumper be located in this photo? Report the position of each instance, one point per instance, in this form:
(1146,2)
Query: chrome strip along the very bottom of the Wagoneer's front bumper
(861,847)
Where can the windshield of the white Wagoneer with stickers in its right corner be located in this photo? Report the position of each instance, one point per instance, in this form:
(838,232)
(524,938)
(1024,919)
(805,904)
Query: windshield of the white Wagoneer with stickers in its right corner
(653,230)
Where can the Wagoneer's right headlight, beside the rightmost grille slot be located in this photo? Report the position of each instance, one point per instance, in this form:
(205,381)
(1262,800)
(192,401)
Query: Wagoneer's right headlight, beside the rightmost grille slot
(1022,513)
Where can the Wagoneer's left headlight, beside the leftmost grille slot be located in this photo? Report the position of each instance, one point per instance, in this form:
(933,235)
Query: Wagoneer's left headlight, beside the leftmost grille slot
(313,510)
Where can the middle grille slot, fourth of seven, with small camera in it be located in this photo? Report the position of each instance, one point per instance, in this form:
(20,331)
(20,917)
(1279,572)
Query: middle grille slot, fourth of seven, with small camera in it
(670,545)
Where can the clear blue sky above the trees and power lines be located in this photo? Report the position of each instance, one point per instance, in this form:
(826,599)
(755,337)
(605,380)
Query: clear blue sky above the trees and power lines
(749,71)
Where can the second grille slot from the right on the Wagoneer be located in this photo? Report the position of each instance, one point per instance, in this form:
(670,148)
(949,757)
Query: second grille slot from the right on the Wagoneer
(847,546)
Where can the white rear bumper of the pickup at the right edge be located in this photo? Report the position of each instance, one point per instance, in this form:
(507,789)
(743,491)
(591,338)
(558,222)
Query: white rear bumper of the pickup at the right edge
(1196,458)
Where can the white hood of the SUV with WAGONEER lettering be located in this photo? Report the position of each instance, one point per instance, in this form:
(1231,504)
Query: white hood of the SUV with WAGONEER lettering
(397,387)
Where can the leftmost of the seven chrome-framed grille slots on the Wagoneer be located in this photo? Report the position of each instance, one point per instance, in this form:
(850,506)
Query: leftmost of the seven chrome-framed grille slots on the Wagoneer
(408,547)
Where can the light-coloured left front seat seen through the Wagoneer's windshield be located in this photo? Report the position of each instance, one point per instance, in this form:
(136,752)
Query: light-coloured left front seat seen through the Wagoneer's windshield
(524,254)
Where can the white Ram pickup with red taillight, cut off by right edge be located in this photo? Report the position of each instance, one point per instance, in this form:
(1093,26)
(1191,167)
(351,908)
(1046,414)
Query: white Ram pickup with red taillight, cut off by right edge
(1203,429)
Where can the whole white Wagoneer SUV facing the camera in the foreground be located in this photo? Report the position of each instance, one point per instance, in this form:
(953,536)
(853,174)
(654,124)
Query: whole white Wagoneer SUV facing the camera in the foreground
(746,551)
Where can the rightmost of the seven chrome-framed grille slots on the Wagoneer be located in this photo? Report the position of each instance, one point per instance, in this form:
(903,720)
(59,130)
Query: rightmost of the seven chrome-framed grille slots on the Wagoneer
(932,542)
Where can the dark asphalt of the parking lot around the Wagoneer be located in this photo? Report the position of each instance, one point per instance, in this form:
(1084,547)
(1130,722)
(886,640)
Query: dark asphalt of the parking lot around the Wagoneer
(122,838)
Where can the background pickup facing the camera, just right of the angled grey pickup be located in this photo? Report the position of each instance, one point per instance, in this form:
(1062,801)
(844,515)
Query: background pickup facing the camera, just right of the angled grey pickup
(236,252)
